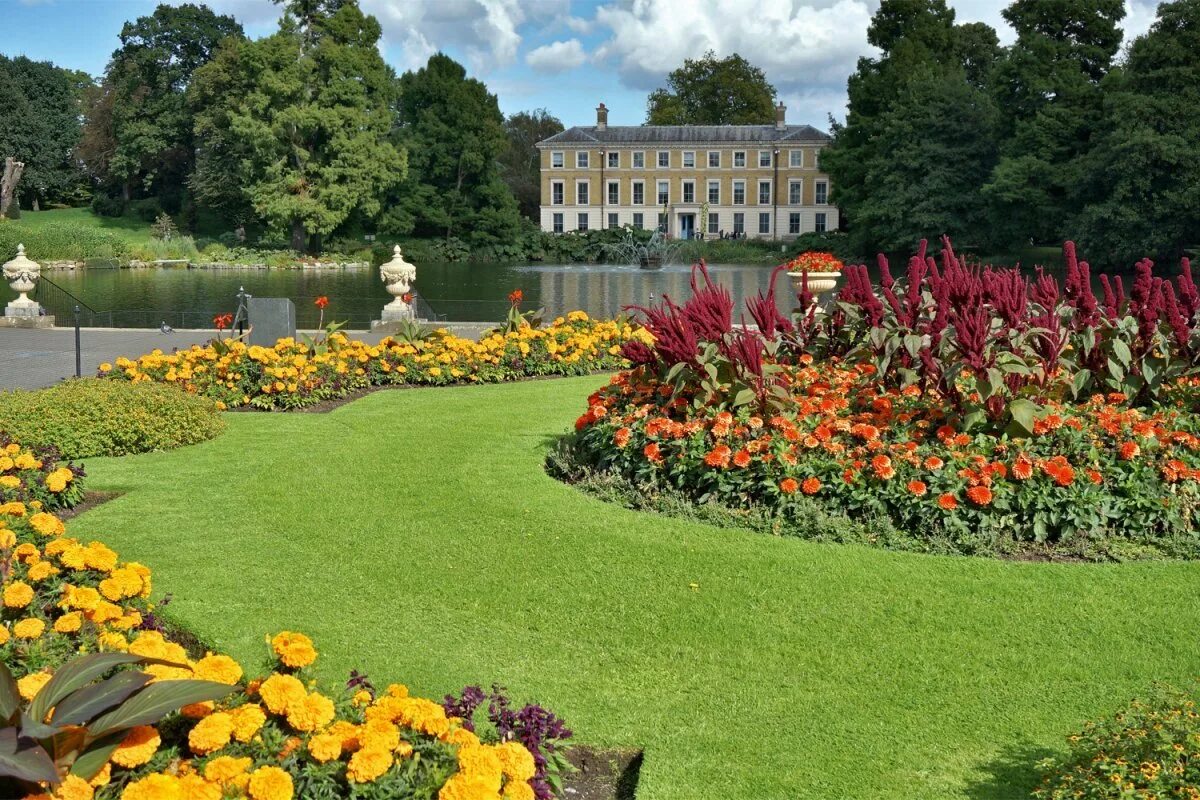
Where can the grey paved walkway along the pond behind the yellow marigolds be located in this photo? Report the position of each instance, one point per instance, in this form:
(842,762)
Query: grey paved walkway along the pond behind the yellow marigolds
(38,358)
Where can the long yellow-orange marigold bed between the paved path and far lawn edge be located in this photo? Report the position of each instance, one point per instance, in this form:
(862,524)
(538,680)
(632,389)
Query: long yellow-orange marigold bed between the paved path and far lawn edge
(295,375)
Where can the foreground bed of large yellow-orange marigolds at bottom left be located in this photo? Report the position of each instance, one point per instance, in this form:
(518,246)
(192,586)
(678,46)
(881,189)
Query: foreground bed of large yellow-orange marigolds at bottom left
(272,738)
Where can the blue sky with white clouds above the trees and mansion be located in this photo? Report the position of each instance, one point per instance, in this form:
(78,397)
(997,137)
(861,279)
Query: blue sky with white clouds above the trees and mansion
(563,56)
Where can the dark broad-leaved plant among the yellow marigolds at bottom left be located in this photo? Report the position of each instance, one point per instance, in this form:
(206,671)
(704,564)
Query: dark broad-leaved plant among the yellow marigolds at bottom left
(80,717)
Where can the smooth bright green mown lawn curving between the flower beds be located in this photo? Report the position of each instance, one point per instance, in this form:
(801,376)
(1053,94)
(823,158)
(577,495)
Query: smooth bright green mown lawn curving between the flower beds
(416,537)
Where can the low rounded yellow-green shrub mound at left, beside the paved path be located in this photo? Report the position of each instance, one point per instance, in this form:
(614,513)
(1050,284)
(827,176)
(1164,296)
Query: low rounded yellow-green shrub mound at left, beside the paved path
(105,418)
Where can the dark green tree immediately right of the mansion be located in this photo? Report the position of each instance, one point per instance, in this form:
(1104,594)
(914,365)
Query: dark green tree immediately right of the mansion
(919,129)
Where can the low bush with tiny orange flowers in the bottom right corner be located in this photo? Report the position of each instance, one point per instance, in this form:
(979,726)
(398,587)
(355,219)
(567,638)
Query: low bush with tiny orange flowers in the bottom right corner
(1145,751)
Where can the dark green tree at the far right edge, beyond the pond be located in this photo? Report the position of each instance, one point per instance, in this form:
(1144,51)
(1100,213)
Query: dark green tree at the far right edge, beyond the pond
(1143,179)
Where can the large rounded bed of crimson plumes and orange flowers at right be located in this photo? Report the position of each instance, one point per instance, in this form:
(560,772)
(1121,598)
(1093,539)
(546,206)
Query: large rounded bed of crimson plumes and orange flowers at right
(969,406)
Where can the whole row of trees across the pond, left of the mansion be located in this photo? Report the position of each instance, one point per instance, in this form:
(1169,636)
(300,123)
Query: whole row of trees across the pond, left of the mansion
(307,133)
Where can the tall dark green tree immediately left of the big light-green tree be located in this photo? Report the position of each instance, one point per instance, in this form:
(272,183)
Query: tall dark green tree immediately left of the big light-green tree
(141,139)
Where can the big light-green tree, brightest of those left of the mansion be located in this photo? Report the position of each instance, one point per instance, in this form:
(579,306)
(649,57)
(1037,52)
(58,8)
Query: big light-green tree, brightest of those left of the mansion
(297,127)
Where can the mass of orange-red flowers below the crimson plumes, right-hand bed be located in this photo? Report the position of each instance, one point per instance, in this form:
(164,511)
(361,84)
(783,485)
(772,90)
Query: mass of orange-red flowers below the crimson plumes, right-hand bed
(1093,476)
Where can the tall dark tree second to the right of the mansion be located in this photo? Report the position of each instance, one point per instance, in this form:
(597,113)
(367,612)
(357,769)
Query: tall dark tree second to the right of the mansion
(1048,86)
